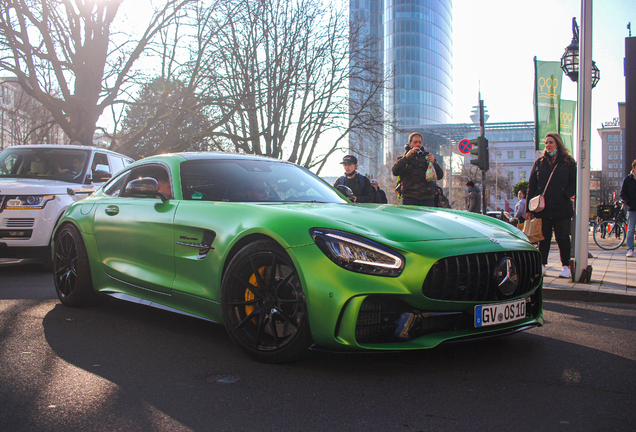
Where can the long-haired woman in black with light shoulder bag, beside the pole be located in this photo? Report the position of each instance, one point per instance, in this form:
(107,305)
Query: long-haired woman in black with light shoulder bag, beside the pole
(557,214)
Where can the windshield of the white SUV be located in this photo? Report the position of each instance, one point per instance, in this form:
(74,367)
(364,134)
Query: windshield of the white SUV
(43,163)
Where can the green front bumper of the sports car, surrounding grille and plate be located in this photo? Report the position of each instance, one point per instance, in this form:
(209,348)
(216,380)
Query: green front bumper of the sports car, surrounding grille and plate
(352,311)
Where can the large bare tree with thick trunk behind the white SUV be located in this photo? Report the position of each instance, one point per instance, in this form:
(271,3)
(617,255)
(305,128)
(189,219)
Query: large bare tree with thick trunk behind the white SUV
(63,55)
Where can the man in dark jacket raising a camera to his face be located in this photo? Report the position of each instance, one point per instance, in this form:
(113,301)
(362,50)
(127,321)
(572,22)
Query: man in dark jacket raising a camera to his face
(417,187)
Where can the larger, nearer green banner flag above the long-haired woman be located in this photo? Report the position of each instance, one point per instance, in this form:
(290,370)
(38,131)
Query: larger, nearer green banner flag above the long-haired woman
(547,98)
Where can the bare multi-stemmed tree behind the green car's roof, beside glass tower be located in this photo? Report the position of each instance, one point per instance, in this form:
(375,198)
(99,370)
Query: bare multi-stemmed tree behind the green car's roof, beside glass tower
(286,64)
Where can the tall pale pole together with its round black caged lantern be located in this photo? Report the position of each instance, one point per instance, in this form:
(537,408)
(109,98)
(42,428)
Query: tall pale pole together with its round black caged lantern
(574,61)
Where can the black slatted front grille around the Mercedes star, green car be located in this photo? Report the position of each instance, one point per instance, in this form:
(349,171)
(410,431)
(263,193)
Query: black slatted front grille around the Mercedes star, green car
(472,277)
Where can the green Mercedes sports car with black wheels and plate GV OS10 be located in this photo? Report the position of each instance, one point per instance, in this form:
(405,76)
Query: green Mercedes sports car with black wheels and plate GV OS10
(287,263)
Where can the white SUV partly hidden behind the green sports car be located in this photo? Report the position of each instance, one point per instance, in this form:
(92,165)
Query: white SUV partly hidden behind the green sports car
(38,183)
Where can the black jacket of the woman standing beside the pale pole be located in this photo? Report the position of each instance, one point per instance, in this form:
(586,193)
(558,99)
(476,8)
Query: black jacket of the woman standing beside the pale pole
(562,187)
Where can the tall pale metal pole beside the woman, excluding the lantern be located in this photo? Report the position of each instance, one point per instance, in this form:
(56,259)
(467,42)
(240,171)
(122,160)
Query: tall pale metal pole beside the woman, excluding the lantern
(581,271)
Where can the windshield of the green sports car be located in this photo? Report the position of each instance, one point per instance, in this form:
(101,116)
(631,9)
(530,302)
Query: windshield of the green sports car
(253,181)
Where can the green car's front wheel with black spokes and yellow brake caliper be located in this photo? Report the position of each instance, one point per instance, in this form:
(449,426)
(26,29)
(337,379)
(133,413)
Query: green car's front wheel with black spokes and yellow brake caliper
(264,307)
